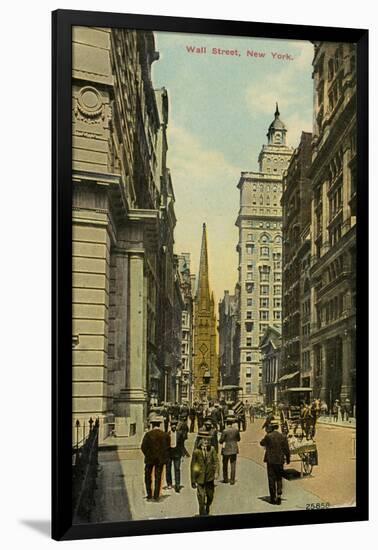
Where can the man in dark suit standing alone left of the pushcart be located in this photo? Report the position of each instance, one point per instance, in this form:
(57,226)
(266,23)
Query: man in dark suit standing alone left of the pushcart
(276,451)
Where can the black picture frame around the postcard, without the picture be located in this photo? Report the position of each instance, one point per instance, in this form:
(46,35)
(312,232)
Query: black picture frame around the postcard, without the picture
(62,22)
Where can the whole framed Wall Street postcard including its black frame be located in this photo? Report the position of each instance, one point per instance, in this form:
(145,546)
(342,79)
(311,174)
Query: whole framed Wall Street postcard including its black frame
(210,274)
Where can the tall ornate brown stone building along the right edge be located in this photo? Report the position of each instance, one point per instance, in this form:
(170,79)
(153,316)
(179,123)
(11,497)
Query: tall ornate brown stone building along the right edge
(333,226)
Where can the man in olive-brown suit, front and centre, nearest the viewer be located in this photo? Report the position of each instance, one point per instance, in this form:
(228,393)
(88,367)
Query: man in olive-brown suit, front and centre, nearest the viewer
(204,470)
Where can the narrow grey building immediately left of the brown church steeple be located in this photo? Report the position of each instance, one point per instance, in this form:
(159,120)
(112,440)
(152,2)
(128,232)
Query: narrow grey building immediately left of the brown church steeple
(187,327)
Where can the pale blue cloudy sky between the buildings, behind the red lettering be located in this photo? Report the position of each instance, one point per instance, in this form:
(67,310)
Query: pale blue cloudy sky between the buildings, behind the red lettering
(220,110)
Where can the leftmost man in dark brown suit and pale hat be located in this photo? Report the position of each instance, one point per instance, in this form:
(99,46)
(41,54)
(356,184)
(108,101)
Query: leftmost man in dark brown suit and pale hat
(155,447)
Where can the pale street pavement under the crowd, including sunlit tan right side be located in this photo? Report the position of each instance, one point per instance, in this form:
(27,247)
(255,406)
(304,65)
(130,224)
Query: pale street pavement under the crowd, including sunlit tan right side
(121,493)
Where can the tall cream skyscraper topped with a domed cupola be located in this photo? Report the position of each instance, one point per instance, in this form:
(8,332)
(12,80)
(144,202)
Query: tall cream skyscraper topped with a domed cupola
(260,254)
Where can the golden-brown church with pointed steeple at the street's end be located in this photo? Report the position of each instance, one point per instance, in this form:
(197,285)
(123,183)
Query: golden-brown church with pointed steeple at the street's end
(205,360)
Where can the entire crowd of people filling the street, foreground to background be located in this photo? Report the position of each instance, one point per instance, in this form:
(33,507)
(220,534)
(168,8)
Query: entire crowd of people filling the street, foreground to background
(218,426)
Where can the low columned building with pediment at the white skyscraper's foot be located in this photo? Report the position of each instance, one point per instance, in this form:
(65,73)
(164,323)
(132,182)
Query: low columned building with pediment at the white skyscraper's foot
(270,346)
